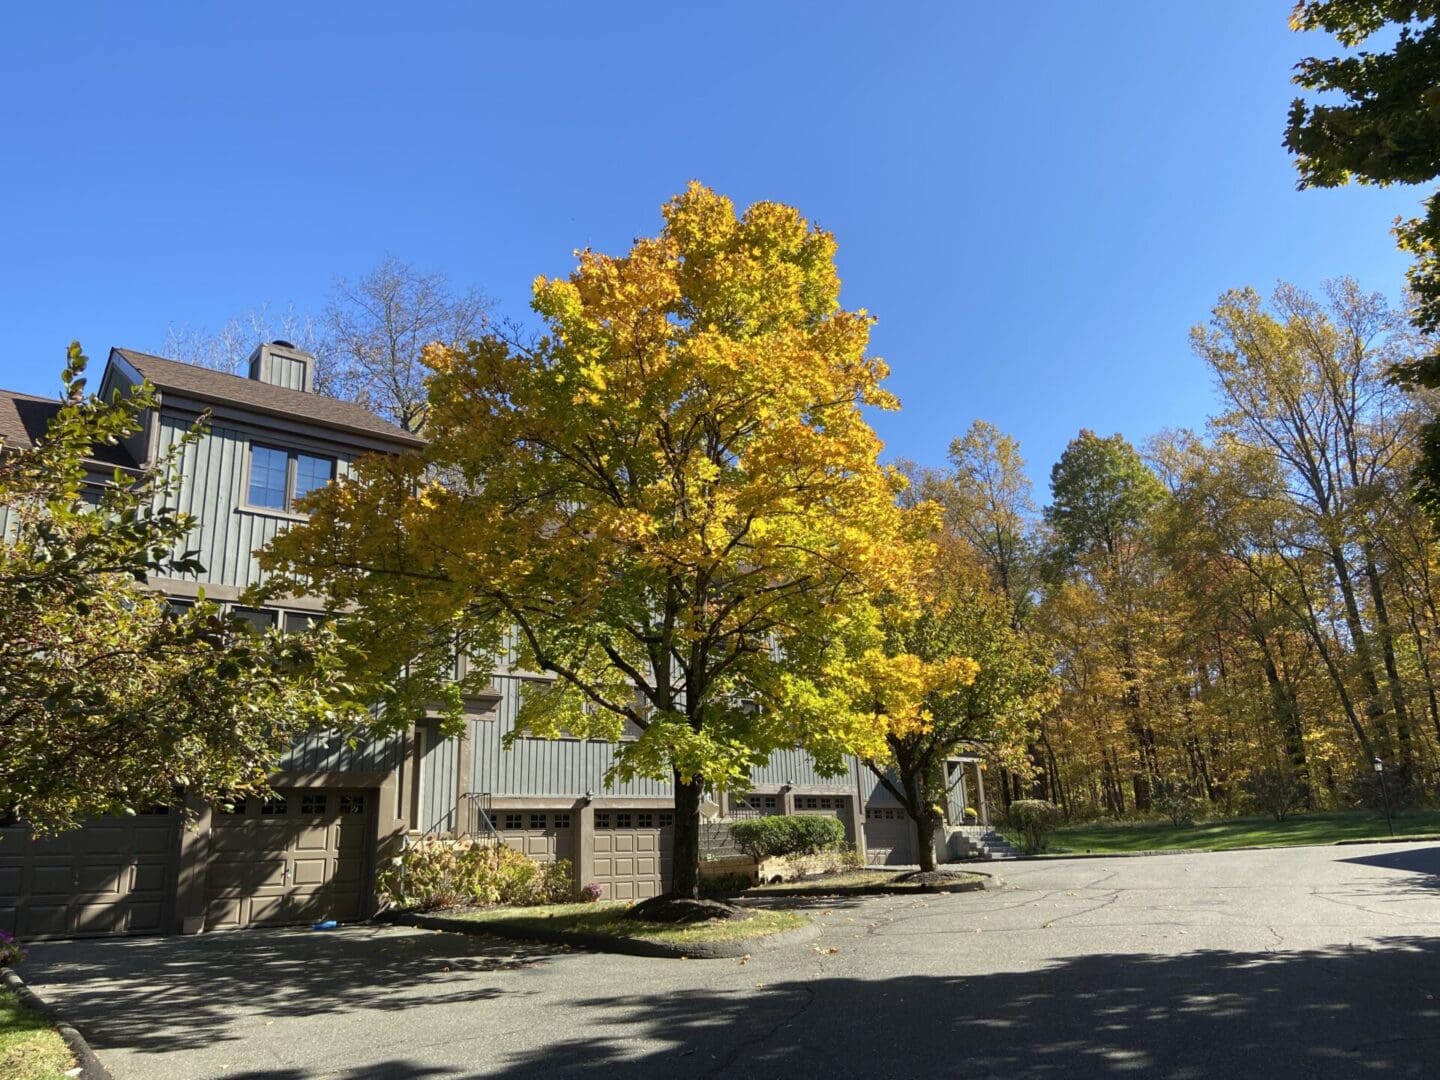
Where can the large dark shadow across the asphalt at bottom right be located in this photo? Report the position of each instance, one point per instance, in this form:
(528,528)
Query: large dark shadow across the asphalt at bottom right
(1343,1013)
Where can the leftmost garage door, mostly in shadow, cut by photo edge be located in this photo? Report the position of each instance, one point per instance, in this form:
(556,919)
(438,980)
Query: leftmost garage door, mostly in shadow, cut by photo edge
(110,878)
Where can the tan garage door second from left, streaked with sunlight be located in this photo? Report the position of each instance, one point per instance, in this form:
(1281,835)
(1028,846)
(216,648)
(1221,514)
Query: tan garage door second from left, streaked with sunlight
(299,858)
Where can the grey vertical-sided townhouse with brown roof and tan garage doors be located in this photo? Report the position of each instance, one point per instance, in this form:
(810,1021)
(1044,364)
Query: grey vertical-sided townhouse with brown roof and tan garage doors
(339,811)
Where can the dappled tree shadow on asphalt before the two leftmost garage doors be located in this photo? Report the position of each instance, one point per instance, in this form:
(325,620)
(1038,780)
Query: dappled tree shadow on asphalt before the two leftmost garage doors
(161,994)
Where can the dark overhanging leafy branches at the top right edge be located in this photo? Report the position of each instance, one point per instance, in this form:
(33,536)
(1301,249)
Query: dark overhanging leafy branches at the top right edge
(1382,127)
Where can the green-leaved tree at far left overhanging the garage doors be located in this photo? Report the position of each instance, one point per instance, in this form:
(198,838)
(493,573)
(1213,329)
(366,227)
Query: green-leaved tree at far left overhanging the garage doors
(112,701)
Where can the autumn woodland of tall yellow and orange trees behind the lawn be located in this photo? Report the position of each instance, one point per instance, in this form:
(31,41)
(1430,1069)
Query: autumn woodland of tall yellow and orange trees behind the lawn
(1238,618)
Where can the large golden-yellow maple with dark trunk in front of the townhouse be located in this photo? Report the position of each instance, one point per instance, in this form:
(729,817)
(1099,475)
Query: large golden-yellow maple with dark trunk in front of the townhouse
(670,502)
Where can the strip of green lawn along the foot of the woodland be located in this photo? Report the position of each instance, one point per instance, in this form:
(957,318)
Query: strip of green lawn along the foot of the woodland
(1241,833)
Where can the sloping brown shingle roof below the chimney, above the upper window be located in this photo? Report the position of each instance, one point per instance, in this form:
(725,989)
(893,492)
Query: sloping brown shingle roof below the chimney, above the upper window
(221,388)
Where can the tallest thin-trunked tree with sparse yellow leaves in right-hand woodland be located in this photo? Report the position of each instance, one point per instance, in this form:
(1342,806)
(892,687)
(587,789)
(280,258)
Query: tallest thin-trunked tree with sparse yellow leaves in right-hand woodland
(1305,388)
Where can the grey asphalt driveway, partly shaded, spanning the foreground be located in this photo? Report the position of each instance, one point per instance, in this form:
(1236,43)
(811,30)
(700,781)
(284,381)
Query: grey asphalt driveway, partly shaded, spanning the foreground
(1305,963)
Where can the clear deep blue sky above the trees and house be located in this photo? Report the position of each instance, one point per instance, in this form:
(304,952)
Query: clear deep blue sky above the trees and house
(1038,199)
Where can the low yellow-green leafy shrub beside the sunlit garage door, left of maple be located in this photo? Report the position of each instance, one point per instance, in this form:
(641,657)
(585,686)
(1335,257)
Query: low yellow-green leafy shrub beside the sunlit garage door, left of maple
(437,873)
